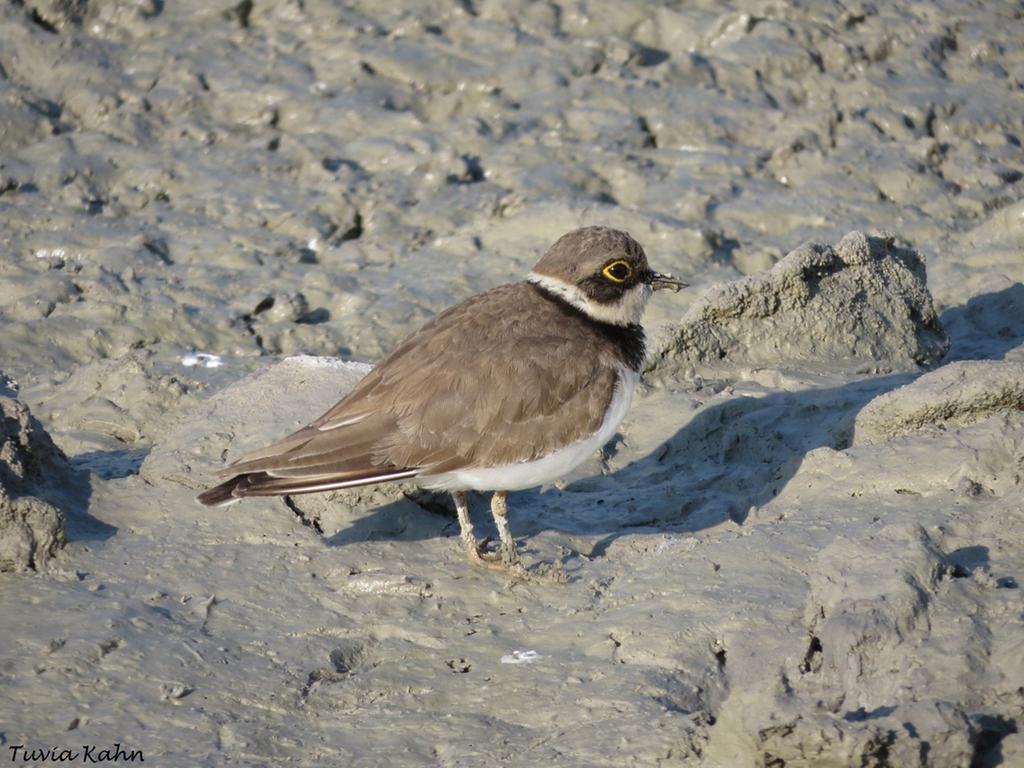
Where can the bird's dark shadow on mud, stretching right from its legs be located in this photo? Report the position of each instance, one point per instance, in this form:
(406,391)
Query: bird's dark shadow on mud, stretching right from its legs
(733,457)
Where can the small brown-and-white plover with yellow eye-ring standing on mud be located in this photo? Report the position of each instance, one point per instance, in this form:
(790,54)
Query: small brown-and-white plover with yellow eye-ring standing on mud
(510,390)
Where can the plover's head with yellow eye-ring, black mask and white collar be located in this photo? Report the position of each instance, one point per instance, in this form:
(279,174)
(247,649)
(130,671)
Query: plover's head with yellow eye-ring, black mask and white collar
(604,273)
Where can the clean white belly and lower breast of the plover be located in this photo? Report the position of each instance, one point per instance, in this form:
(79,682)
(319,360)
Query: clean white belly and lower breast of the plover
(551,467)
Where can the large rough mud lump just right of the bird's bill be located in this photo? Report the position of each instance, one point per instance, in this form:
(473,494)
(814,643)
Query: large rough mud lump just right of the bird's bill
(863,307)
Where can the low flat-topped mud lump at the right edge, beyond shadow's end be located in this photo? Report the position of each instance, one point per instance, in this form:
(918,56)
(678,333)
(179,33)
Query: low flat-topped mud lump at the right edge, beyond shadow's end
(959,394)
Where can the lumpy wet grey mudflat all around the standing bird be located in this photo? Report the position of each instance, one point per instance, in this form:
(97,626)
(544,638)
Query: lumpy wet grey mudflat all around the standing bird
(804,549)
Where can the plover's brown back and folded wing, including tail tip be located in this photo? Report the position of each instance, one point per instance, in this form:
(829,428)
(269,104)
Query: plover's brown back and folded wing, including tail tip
(447,399)
